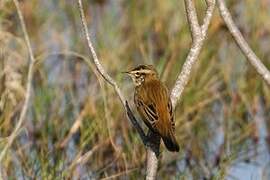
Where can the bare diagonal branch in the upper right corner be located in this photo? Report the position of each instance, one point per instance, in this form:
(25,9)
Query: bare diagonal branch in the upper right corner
(238,37)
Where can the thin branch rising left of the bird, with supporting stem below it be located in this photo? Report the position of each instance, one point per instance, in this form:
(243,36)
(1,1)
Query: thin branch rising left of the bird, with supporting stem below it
(150,141)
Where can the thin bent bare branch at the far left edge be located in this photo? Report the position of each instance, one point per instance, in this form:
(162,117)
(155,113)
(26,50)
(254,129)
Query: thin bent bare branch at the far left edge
(28,86)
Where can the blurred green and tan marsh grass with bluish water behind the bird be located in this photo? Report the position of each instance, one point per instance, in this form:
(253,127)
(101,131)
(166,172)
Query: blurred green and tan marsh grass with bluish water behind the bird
(76,127)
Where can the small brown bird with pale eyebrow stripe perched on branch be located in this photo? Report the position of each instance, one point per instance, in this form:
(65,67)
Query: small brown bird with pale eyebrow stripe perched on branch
(153,104)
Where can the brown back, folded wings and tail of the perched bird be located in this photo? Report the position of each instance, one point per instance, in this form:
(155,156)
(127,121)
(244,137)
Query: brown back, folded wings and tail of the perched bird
(155,107)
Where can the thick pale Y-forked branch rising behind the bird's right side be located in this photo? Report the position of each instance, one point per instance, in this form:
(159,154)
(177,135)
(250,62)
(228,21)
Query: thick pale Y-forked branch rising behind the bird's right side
(198,37)
